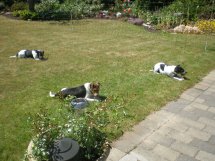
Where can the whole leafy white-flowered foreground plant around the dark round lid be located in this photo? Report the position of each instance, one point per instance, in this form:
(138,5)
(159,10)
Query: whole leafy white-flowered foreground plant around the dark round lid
(79,127)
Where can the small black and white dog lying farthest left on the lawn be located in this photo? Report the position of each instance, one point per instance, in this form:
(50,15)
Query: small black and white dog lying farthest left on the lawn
(35,54)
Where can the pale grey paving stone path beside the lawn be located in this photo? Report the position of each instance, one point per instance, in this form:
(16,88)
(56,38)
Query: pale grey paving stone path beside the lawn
(183,130)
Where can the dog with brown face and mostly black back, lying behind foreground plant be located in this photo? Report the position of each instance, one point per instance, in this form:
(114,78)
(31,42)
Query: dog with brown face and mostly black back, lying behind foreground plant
(89,91)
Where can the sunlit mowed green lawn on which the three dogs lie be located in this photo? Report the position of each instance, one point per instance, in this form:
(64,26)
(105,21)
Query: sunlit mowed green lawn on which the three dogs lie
(117,54)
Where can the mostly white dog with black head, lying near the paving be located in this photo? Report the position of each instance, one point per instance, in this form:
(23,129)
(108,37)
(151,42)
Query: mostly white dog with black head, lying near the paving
(176,72)
